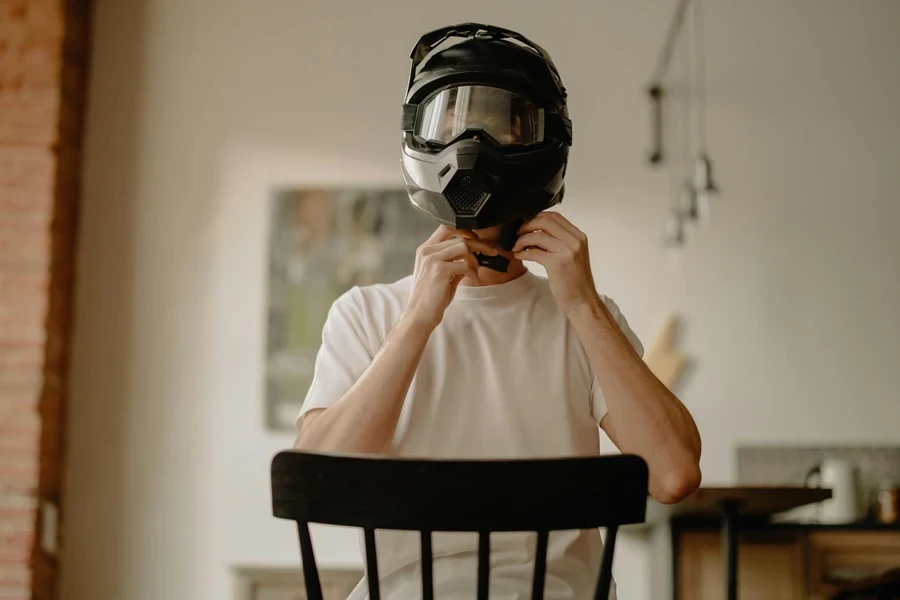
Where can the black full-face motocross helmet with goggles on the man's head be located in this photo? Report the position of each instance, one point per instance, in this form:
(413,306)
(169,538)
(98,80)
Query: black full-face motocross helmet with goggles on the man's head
(486,132)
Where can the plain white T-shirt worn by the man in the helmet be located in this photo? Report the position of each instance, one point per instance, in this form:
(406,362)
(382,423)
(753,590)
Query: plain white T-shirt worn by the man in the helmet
(503,376)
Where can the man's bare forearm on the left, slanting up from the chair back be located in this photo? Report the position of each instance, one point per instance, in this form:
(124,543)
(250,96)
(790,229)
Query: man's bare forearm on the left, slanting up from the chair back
(364,419)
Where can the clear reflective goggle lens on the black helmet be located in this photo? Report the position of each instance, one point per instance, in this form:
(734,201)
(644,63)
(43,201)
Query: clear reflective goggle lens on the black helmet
(506,117)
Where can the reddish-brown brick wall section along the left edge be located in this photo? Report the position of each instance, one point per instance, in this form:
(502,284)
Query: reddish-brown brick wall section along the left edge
(43,58)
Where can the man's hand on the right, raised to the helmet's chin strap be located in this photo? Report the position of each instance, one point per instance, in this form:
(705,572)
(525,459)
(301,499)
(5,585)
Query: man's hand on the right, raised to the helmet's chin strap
(561,248)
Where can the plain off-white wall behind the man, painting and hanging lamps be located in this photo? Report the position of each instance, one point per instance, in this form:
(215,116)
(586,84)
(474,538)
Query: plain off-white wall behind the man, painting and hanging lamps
(199,107)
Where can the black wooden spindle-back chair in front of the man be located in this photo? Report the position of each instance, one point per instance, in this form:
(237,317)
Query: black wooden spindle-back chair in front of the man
(474,496)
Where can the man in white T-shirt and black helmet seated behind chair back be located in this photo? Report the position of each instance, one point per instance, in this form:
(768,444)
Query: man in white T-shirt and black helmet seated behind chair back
(473,356)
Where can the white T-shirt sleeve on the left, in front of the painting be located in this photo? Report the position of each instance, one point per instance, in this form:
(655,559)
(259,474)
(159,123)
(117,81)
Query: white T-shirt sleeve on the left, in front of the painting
(344,355)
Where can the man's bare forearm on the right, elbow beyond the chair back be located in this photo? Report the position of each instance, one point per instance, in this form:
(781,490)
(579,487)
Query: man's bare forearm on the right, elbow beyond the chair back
(644,417)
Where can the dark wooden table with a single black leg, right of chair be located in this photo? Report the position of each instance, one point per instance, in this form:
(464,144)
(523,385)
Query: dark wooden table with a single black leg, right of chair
(731,503)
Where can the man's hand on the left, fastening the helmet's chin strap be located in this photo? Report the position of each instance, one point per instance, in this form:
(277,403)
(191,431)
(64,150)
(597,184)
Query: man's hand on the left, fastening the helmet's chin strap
(441,264)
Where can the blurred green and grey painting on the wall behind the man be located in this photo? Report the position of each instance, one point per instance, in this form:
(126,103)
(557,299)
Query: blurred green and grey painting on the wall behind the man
(324,242)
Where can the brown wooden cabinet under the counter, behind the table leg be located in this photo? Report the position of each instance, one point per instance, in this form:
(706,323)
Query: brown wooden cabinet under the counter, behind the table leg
(782,563)
